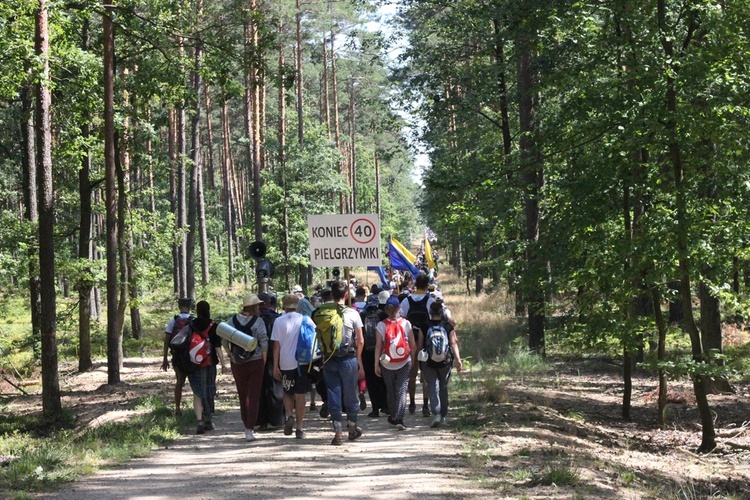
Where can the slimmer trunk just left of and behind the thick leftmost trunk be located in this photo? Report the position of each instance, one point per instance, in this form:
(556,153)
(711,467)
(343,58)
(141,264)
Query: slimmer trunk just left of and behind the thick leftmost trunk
(28,134)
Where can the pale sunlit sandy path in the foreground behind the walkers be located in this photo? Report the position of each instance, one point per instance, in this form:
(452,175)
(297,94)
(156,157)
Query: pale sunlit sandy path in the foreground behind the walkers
(384,463)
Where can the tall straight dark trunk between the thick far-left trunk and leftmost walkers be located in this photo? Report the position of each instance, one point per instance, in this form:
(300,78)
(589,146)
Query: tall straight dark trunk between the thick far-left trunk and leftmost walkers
(113,329)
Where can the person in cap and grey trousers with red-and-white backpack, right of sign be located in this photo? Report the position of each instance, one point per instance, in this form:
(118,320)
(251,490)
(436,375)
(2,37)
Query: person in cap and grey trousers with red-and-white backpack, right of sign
(394,350)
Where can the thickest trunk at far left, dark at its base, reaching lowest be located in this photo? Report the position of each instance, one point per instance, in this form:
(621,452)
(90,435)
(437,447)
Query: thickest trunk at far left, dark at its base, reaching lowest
(51,402)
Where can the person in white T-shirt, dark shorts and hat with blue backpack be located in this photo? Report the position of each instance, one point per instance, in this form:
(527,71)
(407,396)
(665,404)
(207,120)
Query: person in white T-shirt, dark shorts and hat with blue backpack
(293,377)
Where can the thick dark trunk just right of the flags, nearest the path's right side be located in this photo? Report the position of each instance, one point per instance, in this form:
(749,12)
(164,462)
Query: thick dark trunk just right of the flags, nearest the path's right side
(532,181)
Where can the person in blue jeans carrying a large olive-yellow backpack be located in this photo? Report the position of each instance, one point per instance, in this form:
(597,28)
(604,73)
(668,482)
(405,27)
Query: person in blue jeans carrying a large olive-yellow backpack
(343,364)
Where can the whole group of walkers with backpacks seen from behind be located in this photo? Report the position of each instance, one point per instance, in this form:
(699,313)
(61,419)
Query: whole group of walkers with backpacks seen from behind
(379,342)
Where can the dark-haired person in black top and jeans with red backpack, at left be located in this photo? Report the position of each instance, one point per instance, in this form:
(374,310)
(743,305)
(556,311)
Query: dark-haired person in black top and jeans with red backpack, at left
(203,378)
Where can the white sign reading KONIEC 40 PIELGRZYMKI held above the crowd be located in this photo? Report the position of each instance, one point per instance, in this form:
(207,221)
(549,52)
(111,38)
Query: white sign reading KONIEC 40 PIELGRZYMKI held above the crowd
(344,240)
